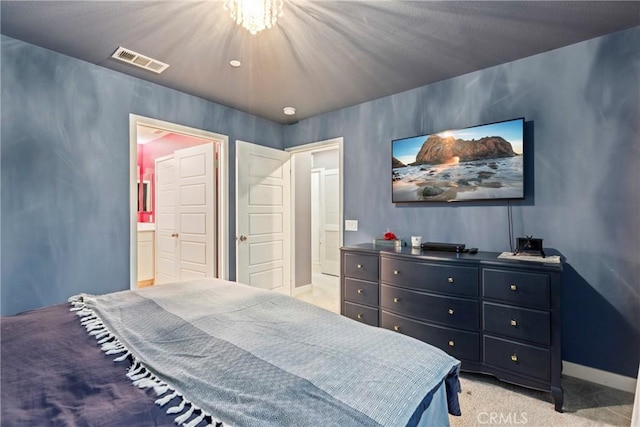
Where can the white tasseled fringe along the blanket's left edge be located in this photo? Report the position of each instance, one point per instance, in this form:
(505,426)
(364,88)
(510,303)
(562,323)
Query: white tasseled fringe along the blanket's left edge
(139,375)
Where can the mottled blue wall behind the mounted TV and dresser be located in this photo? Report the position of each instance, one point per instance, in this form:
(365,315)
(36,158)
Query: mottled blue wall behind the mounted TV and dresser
(582,110)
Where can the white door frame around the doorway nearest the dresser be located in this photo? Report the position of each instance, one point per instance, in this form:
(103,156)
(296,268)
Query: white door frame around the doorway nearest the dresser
(325,145)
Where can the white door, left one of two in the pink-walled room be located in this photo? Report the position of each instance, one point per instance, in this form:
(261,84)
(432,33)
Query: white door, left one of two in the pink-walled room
(166,243)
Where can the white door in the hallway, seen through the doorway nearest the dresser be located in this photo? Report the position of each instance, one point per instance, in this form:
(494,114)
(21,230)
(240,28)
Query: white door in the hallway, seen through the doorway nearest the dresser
(330,222)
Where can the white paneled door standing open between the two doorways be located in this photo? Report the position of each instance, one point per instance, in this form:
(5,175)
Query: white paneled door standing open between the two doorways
(263,238)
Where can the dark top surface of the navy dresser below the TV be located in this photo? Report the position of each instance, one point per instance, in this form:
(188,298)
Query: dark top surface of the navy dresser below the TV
(481,257)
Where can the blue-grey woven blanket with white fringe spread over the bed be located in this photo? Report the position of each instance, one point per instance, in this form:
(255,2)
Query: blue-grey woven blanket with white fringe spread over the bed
(221,352)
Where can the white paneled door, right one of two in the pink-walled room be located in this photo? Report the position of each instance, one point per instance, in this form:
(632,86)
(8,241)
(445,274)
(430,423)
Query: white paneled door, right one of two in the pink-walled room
(195,213)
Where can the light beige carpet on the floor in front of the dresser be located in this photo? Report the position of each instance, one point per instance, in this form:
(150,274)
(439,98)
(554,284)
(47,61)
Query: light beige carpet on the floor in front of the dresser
(487,401)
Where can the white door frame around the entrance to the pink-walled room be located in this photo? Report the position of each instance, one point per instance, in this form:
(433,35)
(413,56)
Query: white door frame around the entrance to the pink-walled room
(222,213)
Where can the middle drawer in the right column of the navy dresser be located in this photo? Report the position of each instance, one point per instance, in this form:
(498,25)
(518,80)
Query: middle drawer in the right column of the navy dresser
(520,323)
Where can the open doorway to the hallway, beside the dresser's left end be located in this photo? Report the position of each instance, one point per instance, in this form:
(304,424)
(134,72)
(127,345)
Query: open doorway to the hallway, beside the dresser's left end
(317,219)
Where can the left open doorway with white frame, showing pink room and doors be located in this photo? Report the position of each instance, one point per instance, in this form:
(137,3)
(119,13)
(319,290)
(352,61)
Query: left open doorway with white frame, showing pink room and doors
(178,225)
